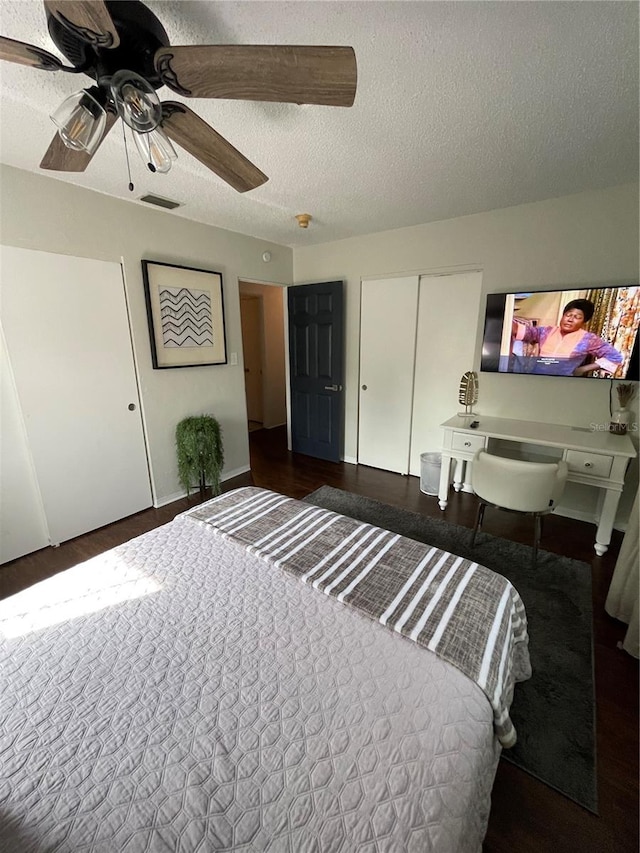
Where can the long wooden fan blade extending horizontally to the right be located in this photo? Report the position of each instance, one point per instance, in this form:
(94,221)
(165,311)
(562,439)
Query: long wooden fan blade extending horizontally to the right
(298,75)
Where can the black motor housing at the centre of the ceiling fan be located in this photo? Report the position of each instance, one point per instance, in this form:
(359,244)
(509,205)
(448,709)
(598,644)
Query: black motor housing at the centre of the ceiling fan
(141,35)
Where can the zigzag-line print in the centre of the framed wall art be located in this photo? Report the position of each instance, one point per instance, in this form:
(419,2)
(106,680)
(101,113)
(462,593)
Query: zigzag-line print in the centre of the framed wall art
(186,317)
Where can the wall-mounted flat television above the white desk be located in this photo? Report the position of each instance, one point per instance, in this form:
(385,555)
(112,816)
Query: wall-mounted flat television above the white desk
(589,332)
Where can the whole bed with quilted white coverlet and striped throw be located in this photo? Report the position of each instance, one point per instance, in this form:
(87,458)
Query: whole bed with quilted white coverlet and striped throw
(200,688)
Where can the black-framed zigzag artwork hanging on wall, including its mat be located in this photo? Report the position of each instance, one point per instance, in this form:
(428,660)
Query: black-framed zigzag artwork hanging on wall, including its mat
(185,312)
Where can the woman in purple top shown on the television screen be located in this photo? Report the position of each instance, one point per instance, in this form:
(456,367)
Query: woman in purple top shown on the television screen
(567,349)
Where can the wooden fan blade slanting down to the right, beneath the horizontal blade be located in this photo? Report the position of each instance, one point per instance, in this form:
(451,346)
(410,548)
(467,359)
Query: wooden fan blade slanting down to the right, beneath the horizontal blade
(193,134)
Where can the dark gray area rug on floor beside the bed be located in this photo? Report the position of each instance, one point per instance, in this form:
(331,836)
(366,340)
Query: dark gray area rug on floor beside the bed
(553,712)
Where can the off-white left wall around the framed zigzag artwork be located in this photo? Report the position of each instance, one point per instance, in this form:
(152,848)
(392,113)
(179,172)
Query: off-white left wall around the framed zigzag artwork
(39,212)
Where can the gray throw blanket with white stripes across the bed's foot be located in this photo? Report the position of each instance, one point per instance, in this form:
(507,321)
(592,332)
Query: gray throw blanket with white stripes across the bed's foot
(466,614)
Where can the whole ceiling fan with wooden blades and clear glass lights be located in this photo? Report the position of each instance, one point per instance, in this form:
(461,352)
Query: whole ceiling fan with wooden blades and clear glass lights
(123,46)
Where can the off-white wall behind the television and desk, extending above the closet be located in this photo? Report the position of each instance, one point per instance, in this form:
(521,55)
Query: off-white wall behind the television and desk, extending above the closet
(583,239)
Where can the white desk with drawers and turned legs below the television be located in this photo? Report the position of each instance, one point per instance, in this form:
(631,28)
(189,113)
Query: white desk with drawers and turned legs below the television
(595,458)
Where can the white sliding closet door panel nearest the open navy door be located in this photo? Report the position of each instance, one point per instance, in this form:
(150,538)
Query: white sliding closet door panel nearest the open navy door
(387,351)
